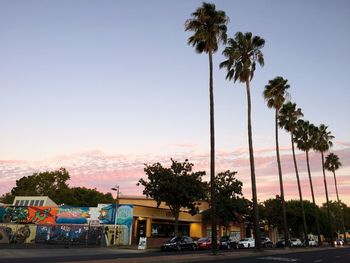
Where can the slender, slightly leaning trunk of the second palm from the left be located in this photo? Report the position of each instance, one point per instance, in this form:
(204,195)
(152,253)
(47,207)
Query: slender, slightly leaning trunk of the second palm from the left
(252,171)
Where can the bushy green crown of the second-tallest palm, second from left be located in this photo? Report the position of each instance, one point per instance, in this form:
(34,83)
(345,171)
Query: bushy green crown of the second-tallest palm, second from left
(242,53)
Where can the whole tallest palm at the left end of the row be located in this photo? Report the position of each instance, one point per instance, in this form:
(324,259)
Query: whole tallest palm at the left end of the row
(209,26)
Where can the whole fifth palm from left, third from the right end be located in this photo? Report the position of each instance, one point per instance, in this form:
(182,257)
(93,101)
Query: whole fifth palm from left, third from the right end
(305,135)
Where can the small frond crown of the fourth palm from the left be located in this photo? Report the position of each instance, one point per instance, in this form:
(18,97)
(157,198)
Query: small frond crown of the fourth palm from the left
(289,115)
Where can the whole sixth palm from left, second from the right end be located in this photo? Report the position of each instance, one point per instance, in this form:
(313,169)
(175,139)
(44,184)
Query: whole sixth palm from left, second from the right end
(322,145)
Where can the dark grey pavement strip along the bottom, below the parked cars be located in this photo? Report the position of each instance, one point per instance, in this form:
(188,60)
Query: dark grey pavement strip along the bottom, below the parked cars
(132,255)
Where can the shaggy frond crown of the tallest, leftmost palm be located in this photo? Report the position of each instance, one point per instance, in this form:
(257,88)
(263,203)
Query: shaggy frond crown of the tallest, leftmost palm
(209,26)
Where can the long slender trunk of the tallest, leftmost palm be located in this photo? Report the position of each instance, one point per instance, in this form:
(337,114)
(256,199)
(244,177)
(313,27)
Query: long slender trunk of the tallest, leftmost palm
(212,157)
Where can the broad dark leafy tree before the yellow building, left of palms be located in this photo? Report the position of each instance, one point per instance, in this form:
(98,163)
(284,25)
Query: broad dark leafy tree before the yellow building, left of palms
(178,187)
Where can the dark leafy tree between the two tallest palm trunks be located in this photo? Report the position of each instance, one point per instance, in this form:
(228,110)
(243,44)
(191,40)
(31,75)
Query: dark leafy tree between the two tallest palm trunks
(231,204)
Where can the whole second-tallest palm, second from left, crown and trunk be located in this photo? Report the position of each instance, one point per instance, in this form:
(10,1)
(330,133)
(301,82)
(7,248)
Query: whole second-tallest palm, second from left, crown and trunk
(242,53)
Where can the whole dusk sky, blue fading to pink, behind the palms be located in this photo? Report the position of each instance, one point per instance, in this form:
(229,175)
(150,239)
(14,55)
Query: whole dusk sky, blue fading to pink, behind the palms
(104,87)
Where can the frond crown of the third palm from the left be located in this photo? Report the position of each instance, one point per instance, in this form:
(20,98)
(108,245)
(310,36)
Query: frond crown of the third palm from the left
(275,92)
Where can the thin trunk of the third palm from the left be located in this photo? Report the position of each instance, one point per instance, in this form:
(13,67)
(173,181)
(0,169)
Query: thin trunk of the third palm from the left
(284,211)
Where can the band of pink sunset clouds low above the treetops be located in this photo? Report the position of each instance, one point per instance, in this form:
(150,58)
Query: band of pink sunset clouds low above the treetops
(95,169)
